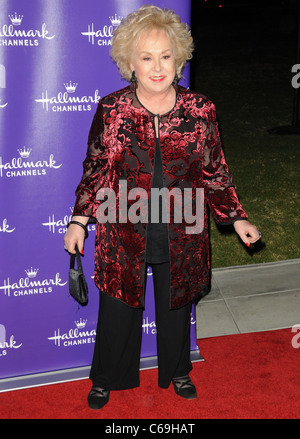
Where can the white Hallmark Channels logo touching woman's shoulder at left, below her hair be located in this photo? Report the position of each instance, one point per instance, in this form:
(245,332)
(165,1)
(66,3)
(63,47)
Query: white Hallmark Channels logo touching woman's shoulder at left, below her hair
(68,100)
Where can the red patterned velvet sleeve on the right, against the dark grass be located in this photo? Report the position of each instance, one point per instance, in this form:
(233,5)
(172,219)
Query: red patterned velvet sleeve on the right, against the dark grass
(219,188)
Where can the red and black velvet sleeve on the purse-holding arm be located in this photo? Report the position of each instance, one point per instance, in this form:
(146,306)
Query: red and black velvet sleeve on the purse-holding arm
(94,169)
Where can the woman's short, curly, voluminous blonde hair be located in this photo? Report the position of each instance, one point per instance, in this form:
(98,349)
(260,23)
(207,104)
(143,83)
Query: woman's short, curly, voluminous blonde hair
(126,36)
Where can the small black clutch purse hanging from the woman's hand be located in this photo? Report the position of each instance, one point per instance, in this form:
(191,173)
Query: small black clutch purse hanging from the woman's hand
(77,283)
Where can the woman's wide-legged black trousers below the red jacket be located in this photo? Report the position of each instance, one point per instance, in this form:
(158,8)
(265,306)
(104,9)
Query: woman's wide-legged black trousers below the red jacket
(116,359)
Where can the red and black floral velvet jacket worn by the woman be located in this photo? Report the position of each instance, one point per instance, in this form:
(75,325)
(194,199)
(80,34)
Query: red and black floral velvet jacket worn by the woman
(121,146)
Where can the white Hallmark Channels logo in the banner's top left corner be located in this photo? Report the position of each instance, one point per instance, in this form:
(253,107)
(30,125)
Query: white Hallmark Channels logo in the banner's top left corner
(13,34)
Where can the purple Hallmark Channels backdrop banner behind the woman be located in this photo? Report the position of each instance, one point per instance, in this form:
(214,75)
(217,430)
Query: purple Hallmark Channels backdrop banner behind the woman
(54,68)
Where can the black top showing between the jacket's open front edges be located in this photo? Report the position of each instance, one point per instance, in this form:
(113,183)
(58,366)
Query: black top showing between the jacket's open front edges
(157,244)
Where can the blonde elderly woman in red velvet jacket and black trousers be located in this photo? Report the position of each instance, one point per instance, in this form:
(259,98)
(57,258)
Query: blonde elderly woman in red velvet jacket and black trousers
(150,135)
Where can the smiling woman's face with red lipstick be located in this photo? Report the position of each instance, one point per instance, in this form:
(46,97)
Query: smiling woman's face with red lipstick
(154,63)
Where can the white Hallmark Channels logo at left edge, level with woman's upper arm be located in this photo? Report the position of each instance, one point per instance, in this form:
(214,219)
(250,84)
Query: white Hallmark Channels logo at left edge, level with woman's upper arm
(24,166)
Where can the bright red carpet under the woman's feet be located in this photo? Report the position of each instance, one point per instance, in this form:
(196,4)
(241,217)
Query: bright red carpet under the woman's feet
(245,376)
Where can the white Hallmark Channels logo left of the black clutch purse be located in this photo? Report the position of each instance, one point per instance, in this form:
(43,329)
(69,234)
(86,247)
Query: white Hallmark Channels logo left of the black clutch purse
(31,284)
